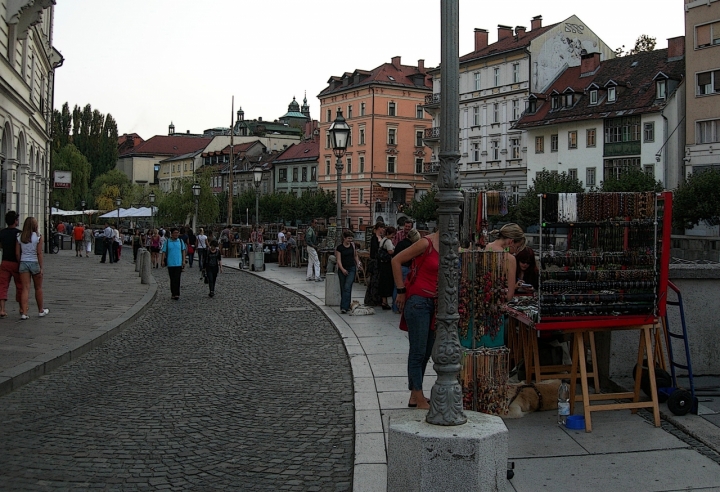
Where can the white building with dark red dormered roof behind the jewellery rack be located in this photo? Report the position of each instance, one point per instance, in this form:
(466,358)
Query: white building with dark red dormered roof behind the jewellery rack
(600,118)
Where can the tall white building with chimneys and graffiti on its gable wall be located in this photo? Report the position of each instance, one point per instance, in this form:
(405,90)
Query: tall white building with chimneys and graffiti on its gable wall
(495,81)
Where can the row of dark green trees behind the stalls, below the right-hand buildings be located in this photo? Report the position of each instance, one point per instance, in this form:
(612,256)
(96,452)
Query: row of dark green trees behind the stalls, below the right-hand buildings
(694,201)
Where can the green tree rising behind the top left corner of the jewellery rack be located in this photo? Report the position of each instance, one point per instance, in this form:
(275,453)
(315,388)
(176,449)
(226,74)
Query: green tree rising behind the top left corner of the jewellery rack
(527,210)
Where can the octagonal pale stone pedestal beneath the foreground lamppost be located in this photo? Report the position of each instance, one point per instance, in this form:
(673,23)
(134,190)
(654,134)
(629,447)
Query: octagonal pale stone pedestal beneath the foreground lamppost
(425,457)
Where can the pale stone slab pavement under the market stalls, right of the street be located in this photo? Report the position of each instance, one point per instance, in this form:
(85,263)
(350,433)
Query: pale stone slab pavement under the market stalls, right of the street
(624,451)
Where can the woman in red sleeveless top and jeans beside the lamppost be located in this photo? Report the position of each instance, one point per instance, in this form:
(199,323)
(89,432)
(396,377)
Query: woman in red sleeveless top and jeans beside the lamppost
(416,299)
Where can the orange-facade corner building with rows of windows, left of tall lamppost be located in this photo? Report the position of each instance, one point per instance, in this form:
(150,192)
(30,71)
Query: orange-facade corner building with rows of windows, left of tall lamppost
(383,166)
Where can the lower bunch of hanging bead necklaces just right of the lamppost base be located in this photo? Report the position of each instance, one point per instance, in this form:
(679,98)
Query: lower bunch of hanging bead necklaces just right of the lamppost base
(484,380)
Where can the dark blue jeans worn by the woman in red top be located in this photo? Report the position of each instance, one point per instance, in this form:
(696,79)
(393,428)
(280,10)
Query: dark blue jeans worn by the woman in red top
(418,312)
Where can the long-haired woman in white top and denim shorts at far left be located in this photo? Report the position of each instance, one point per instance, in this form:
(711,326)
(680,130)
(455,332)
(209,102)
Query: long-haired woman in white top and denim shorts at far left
(29,250)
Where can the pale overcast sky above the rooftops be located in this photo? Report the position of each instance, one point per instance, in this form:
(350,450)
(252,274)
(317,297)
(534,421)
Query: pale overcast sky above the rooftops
(152,62)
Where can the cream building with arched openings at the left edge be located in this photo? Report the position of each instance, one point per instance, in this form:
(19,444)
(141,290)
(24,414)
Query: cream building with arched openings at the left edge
(27,79)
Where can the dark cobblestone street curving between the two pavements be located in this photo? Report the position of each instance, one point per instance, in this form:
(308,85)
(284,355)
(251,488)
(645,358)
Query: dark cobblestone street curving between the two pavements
(249,390)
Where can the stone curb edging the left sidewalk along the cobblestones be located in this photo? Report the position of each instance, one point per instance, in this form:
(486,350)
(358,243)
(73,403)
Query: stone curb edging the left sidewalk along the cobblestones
(13,378)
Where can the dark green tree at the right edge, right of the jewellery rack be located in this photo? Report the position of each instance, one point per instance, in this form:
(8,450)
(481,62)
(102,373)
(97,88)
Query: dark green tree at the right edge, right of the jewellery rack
(697,199)
